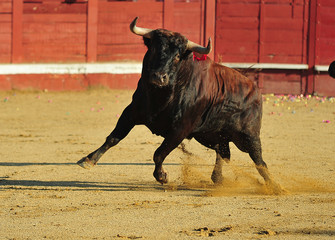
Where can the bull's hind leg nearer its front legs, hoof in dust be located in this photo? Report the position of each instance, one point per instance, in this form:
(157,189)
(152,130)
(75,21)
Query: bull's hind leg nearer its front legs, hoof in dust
(222,154)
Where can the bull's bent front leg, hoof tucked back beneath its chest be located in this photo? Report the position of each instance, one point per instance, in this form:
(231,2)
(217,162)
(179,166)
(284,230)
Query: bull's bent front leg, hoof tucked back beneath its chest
(161,153)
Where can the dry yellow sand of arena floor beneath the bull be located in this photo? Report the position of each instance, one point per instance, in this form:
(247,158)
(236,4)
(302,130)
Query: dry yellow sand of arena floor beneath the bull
(44,194)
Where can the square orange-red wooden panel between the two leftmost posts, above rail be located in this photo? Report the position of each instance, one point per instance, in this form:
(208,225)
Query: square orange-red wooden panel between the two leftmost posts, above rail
(54,31)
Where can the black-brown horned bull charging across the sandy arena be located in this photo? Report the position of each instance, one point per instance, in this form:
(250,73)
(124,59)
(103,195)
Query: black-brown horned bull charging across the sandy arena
(178,97)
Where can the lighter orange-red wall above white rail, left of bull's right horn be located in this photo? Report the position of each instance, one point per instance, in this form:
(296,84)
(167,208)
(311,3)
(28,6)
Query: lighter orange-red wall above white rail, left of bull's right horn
(56,31)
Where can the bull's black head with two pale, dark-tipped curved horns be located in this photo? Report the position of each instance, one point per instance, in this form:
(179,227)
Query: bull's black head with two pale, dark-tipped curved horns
(166,52)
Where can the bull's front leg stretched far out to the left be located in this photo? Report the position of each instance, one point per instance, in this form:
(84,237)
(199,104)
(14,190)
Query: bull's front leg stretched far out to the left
(124,125)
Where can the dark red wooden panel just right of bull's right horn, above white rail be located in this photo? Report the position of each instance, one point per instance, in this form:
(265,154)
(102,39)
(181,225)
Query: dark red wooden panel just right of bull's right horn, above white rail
(236,31)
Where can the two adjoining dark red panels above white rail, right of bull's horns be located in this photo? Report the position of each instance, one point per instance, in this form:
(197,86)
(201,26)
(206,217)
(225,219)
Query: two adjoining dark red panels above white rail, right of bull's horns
(272,32)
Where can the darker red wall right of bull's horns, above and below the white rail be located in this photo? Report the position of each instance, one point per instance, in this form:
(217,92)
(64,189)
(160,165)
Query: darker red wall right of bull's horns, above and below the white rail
(279,31)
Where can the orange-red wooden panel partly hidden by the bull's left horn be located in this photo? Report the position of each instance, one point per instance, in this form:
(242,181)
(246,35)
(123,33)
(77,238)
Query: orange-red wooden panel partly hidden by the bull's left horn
(115,41)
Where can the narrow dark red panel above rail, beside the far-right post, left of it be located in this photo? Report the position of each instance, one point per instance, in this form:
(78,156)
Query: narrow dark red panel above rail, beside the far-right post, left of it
(284,33)
